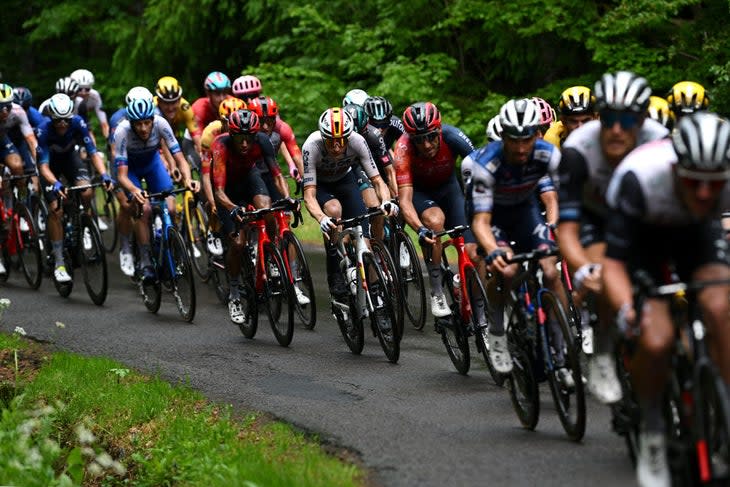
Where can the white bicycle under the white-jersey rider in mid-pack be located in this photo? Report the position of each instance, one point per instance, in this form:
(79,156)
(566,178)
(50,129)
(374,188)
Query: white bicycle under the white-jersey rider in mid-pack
(368,291)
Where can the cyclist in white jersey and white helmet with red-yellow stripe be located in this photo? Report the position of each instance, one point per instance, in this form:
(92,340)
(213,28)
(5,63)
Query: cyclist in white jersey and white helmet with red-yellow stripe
(330,185)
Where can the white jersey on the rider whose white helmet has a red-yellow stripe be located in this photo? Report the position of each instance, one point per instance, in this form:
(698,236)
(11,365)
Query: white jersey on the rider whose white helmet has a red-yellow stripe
(319,164)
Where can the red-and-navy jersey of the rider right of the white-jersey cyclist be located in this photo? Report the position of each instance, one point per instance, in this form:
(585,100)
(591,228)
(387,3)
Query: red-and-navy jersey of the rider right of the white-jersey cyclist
(425,174)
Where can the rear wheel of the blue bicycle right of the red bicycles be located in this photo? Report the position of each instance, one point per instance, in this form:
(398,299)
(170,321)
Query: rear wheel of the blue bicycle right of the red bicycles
(522,384)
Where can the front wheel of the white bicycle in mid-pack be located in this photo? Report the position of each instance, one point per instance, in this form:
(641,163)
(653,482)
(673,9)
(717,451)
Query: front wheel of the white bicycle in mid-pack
(383,317)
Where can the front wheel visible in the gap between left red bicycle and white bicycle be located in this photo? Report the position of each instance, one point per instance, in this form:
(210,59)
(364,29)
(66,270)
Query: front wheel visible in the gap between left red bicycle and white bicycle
(298,268)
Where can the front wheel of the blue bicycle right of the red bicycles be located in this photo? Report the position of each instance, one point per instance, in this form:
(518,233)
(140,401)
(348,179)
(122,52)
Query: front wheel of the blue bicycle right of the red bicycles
(569,402)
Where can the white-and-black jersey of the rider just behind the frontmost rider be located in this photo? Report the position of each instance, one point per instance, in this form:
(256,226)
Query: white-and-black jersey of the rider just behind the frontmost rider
(585,173)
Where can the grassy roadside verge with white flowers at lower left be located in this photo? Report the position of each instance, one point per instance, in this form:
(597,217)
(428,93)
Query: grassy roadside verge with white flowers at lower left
(72,420)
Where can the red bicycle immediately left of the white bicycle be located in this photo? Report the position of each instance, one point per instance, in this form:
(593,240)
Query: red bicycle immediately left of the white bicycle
(264,280)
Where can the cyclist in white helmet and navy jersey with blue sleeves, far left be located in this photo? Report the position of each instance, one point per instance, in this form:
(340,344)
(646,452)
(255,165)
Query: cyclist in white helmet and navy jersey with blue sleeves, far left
(58,157)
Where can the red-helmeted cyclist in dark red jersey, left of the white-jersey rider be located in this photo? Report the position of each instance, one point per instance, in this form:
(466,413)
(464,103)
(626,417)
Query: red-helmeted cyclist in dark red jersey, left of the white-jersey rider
(236,183)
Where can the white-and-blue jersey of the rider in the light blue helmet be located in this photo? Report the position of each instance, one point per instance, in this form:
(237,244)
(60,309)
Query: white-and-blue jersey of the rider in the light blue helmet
(137,153)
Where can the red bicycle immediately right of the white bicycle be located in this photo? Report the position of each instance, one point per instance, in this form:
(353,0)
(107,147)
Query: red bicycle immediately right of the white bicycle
(464,289)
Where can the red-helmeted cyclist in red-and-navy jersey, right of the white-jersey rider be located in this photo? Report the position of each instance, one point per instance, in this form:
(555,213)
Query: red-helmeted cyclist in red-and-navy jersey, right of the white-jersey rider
(428,190)
